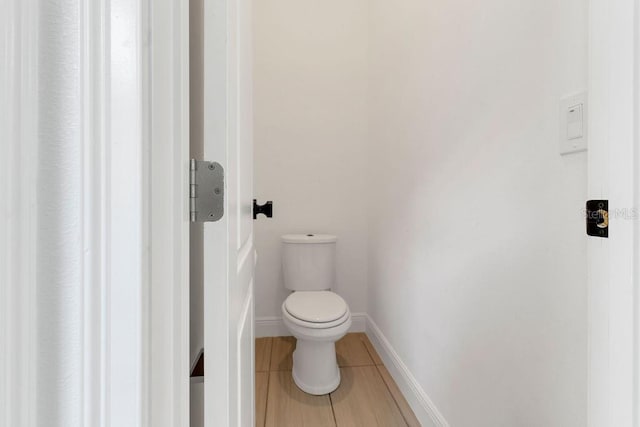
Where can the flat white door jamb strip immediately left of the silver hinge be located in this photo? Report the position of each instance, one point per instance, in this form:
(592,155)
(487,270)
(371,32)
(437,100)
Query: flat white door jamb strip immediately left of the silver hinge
(167,83)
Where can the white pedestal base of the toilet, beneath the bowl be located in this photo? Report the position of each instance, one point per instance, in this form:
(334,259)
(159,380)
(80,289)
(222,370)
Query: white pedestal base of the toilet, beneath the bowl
(315,368)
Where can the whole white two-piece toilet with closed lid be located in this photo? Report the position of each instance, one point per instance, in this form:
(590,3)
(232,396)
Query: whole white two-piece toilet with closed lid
(316,316)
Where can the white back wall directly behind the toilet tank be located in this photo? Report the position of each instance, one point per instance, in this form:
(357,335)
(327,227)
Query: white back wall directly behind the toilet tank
(310,129)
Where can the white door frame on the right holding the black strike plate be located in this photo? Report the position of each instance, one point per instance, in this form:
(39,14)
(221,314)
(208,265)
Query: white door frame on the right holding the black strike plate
(614,169)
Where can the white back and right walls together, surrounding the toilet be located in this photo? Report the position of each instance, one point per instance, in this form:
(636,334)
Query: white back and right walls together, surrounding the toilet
(475,246)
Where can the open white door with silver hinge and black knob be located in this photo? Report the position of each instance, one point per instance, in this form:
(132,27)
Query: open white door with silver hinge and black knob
(229,257)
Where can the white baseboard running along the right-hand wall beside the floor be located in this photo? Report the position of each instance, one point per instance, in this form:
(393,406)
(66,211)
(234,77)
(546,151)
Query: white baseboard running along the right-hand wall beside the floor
(422,406)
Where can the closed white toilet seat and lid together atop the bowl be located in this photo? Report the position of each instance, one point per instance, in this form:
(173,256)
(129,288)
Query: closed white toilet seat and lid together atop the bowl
(316,309)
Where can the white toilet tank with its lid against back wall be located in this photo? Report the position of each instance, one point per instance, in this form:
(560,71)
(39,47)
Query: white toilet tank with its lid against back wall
(309,261)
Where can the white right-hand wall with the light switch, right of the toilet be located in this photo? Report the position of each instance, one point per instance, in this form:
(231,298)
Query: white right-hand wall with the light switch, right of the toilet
(477,250)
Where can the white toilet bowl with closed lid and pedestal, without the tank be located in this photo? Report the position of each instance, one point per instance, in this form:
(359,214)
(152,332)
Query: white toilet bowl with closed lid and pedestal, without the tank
(316,328)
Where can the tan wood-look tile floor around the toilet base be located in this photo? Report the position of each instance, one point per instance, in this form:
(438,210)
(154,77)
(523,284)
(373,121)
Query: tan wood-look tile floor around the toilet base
(367,395)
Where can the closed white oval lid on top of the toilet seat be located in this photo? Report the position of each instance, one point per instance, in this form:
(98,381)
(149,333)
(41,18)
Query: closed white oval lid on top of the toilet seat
(316,307)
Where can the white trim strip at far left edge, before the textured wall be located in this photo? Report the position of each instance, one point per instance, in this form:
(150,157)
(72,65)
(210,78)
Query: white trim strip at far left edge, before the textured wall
(18,186)
